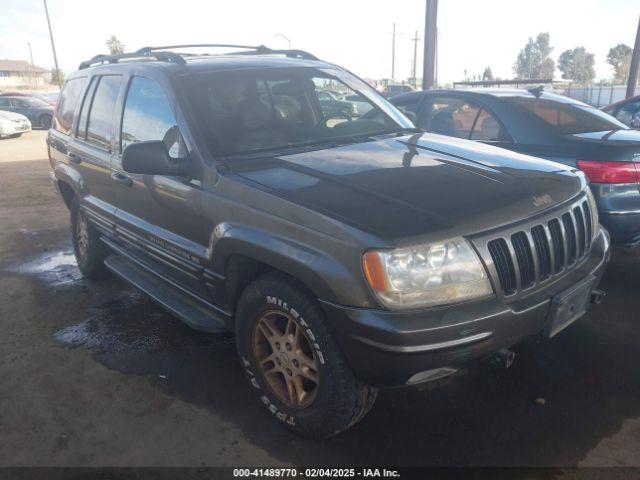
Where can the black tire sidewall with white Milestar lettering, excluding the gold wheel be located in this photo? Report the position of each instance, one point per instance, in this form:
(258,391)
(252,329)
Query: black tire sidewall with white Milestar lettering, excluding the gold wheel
(332,407)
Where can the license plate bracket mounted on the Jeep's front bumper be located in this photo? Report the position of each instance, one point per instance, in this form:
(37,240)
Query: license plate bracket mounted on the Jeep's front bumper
(568,306)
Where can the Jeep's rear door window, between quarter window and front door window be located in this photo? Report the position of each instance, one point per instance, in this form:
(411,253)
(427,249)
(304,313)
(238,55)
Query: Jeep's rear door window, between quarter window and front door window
(102,108)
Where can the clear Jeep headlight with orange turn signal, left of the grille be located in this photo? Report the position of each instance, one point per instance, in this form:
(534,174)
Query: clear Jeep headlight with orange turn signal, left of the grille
(426,275)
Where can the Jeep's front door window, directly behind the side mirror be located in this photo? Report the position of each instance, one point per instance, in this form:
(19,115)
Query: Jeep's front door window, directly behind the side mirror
(148,116)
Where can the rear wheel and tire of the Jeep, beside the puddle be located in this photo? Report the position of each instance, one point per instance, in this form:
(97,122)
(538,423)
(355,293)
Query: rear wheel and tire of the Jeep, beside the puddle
(89,250)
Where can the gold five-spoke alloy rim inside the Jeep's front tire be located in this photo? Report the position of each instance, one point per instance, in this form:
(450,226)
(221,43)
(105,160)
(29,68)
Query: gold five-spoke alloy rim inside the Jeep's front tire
(286,359)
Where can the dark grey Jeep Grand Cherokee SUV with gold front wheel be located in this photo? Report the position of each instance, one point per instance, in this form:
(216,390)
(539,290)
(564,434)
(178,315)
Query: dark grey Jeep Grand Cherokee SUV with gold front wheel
(345,255)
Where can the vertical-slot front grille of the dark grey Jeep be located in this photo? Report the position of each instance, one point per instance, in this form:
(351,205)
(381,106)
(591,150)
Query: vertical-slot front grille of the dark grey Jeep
(541,250)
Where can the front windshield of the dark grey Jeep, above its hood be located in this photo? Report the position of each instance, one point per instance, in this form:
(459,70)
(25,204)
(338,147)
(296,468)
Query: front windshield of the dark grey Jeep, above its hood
(273,109)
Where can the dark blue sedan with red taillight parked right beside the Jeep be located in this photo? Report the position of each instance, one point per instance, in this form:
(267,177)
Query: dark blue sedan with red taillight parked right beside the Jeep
(548,126)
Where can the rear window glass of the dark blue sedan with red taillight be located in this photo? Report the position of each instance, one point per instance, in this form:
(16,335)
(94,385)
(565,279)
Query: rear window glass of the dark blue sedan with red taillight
(569,118)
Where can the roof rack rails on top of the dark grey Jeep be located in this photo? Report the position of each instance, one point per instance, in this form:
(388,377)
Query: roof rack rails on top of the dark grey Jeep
(165,53)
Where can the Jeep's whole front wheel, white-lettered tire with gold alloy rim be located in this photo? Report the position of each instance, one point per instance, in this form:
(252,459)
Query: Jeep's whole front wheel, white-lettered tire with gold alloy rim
(293,362)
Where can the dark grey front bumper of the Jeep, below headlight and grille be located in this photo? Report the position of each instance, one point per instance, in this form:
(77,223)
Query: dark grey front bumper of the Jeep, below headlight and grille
(392,348)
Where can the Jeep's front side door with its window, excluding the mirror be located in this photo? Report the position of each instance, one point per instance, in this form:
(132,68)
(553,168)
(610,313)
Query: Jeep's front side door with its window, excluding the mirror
(158,217)
